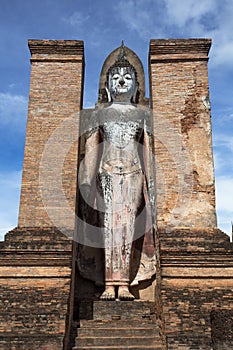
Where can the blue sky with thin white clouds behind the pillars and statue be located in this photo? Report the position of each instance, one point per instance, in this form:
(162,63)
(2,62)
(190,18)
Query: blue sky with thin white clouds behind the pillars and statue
(102,25)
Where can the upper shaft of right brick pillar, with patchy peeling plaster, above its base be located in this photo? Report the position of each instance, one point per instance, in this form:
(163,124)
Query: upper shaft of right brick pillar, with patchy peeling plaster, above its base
(182,132)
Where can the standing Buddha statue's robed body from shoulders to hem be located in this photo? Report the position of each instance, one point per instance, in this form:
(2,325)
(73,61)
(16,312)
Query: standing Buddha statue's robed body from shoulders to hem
(117,167)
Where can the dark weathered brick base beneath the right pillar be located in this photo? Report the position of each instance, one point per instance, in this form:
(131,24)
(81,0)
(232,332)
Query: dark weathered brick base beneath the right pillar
(196,278)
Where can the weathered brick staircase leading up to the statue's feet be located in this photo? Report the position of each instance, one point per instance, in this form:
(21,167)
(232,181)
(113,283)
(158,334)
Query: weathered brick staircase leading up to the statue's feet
(119,325)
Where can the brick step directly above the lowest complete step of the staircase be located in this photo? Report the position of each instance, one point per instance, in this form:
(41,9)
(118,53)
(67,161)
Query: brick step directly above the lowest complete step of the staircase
(117,332)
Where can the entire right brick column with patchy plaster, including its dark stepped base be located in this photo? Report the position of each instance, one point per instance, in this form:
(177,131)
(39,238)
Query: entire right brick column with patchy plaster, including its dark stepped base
(195,259)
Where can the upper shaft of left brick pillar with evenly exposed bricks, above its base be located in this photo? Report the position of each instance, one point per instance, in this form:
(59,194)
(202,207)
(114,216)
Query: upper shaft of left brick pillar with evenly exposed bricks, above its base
(48,192)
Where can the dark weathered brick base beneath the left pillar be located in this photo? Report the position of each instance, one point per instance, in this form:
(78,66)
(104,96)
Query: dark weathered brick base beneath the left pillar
(36,304)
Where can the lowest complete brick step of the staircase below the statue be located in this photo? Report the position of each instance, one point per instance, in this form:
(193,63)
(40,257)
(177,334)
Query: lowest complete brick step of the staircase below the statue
(116,341)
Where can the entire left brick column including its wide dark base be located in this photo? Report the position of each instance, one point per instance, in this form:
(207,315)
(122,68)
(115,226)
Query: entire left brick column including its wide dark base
(37,260)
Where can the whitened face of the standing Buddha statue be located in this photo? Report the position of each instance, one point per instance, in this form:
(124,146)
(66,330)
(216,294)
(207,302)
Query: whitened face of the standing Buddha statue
(122,83)
